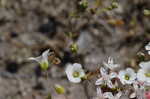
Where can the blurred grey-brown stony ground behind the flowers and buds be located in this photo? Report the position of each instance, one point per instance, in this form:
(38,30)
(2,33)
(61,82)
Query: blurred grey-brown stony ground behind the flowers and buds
(29,27)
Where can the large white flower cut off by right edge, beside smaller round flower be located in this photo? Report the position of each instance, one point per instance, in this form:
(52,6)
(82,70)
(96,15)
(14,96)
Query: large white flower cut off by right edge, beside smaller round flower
(143,74)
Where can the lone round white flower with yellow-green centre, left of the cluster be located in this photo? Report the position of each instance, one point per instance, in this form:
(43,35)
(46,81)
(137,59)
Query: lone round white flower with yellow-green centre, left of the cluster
(75,72)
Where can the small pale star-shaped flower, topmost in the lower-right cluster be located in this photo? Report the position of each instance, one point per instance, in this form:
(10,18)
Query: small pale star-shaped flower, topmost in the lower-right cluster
(110,64)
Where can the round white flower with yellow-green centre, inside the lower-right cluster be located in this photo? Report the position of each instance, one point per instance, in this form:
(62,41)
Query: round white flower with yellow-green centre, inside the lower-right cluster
(127,76)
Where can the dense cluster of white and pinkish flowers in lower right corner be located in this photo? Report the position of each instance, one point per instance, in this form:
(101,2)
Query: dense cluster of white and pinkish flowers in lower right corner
(127,77)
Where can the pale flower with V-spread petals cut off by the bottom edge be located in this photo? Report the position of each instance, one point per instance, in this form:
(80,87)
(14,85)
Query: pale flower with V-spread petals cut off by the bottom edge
(109,95)
